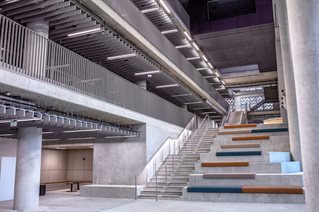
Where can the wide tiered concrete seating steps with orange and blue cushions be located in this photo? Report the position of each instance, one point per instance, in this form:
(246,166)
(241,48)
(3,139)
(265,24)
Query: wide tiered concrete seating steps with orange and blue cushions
(247,163)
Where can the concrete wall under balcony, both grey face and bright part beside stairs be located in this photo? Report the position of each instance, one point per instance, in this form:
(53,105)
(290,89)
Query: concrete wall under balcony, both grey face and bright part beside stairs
(117,161)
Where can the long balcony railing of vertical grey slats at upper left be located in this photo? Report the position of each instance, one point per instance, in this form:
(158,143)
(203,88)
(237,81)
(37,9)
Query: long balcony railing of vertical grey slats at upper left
(25,52)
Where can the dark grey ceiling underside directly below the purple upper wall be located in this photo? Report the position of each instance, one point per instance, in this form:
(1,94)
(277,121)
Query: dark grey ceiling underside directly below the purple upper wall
(241,46)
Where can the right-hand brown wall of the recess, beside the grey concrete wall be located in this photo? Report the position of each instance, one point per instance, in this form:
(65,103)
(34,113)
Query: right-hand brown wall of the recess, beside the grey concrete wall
(80,165)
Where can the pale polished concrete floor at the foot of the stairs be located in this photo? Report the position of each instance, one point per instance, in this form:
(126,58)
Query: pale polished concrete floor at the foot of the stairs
(62,201)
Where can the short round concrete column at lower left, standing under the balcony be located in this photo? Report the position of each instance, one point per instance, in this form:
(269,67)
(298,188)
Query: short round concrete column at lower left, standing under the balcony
(27,180)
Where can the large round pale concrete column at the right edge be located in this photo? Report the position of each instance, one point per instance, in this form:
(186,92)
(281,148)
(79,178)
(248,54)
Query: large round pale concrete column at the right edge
(303,19)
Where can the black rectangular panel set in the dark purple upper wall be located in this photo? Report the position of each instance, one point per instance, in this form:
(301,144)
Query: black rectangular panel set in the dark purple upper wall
(221,9)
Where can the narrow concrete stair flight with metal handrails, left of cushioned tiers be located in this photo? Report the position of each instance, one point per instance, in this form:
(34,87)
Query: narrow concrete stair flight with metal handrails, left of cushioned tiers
(173,174)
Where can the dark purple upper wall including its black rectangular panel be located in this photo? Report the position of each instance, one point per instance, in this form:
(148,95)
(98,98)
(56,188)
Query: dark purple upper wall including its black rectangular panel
(219,15)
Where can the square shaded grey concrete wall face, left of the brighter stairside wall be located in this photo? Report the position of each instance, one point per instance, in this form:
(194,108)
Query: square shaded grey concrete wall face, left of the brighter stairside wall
(117,161)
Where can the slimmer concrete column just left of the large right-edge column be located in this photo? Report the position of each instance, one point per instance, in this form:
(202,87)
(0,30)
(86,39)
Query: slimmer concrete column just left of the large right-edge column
(288,71)
